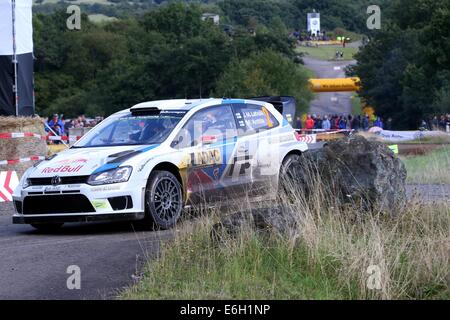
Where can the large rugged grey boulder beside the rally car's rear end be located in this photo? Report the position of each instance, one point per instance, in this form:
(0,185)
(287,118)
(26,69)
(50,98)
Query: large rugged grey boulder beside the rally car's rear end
(360,171)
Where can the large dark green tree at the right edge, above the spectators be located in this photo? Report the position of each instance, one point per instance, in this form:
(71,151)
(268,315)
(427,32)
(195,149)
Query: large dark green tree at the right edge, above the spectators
(405,68)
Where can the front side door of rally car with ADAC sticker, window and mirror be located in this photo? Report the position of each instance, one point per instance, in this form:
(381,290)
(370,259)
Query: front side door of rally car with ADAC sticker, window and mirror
(208,141)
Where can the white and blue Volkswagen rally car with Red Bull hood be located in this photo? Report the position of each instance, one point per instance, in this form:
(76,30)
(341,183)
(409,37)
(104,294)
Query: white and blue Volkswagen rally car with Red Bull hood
(156,158)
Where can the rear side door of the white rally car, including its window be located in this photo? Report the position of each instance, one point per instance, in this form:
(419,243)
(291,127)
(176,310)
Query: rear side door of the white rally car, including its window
(255,147)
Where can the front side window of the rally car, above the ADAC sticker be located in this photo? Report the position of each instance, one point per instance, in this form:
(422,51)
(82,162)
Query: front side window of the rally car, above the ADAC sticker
(213,124)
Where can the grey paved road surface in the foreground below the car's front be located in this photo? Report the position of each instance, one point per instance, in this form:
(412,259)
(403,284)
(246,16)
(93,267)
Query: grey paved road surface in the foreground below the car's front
(34,265)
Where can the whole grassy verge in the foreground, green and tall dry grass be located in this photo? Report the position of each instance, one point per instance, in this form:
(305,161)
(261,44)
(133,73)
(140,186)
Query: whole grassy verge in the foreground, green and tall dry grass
(324,254)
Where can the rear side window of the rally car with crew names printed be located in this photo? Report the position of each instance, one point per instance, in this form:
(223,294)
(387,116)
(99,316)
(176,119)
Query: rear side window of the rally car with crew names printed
(254,118)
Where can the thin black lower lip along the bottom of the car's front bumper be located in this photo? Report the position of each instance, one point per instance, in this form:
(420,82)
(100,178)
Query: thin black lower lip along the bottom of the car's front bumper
(31,219)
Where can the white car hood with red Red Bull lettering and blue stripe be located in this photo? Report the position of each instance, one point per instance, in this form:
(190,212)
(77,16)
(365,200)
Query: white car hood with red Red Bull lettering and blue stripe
(86,161)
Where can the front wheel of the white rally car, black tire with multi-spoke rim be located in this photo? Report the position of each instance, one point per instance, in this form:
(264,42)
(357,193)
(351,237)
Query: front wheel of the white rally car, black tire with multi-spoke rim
(163,200)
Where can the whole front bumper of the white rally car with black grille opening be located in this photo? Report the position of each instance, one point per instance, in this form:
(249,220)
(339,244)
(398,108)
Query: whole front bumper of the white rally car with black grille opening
(78,203)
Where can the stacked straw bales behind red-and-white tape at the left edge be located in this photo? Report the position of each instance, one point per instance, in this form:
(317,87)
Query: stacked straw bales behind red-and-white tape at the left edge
(21,147)
